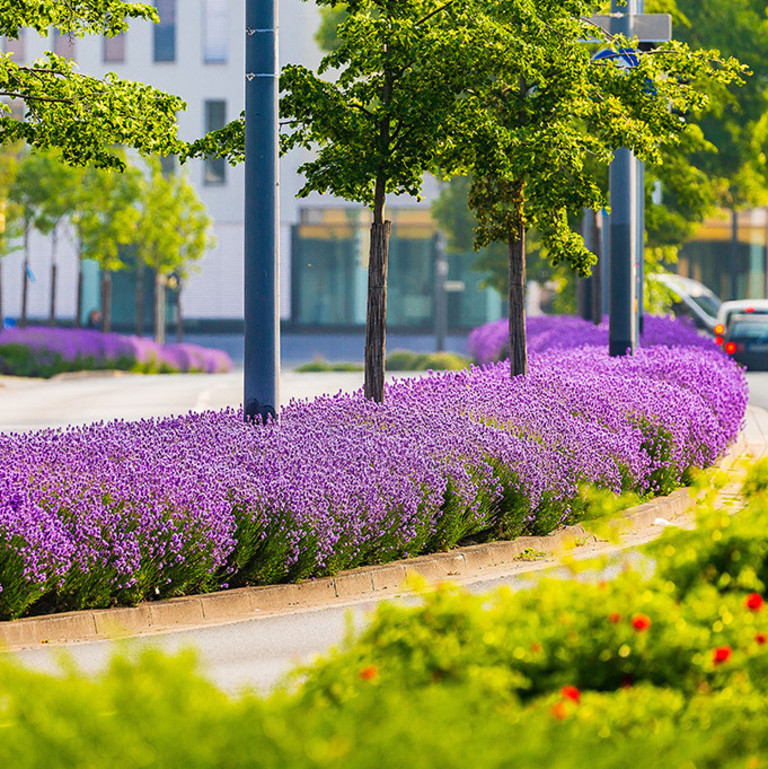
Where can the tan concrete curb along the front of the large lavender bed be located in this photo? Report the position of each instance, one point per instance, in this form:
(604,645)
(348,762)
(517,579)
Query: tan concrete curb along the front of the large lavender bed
(379,581)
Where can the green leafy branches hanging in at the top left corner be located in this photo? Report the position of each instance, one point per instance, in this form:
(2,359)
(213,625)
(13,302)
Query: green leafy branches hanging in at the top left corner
(82,116)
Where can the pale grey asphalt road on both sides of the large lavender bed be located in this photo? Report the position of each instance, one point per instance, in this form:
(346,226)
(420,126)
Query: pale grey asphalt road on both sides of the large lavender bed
(256,653)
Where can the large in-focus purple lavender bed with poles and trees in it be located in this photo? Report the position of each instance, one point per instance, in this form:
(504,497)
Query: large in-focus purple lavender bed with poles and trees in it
(119,512)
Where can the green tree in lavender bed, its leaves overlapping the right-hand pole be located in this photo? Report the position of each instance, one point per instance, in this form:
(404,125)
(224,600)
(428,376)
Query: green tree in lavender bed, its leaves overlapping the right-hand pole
(533,133)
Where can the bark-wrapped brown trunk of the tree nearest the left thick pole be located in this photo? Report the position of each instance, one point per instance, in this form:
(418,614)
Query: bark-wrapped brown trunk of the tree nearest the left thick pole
(376,319)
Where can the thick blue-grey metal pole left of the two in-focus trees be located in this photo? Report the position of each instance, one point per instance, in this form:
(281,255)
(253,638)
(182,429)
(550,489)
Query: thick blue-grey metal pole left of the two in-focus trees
(262,237)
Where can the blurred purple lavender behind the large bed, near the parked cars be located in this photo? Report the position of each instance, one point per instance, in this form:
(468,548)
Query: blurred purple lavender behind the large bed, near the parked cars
(490,342)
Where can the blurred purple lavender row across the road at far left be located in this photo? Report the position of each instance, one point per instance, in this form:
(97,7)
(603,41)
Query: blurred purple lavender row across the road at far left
(51,348)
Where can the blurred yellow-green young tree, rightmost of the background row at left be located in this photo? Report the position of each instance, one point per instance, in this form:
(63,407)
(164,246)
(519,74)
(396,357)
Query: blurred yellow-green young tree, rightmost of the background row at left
(172,233)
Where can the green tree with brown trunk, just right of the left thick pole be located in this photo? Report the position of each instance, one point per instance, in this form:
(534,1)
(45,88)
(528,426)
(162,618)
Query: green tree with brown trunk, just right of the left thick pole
(380,125)
